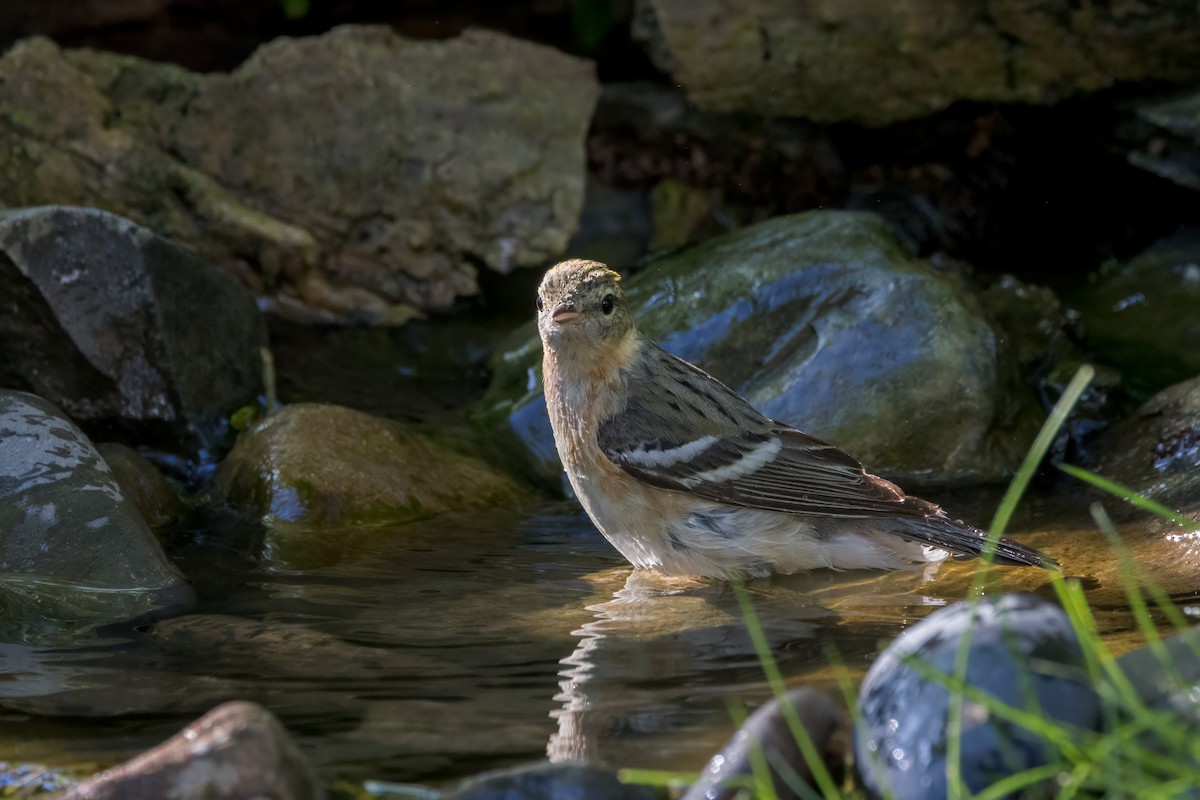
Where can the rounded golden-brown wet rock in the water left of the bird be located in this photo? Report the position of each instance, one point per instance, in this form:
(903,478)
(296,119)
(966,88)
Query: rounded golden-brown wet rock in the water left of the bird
(326,465)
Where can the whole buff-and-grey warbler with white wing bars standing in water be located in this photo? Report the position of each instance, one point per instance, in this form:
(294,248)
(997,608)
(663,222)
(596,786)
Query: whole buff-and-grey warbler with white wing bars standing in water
(685,477)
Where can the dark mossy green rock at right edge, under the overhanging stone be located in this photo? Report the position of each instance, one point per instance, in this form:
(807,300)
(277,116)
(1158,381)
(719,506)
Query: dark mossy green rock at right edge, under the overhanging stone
(1141,317)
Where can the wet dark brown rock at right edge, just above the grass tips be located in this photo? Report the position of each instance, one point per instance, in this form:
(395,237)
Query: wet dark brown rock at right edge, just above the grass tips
(1157,450)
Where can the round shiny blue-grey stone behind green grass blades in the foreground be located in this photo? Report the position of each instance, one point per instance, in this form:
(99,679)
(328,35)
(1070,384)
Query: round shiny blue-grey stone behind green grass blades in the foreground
(1023,652)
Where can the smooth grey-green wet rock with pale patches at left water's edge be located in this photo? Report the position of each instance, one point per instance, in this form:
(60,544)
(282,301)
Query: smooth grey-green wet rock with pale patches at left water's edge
(74,550)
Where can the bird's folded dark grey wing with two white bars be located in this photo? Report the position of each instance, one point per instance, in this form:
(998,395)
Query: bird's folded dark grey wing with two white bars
(683,430)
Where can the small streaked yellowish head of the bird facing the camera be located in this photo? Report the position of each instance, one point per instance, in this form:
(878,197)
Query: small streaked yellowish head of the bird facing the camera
(583,311)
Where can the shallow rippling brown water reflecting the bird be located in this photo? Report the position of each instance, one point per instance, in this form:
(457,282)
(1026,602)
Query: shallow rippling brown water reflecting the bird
(464,643)
